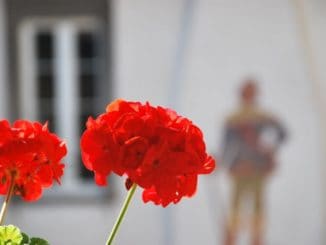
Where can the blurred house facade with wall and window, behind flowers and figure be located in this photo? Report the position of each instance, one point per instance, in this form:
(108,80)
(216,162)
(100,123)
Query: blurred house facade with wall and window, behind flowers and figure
(62,60)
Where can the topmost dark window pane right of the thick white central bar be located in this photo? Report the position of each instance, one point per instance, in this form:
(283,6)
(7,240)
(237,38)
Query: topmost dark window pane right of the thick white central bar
(86,45)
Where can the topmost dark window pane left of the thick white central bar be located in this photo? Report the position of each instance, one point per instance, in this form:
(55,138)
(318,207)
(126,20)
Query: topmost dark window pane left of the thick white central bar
(44,45)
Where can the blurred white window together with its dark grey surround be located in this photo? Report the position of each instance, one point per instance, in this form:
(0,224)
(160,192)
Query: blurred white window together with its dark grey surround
(58,69)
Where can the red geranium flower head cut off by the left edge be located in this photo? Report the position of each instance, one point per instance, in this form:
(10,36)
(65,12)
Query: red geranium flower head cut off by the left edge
(31,157)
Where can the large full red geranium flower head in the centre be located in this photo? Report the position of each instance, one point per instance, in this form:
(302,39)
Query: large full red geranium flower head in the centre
(157,149)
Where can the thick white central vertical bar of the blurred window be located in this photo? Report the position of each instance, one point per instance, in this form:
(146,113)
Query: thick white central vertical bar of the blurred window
(66,95)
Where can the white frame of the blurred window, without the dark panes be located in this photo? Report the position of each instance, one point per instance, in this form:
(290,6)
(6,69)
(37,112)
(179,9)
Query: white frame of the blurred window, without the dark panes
(65,32)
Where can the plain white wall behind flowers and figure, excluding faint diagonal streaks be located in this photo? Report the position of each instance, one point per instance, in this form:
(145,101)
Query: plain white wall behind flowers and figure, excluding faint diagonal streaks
(228,39)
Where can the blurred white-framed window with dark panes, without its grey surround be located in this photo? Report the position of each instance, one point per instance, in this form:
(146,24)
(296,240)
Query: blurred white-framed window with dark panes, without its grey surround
(62,67)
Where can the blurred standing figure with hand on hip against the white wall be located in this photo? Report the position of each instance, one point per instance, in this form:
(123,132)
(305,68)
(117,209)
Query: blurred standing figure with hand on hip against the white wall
(251,140)
